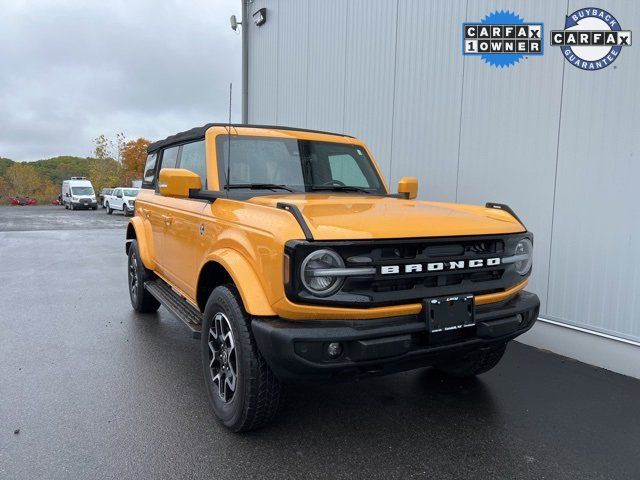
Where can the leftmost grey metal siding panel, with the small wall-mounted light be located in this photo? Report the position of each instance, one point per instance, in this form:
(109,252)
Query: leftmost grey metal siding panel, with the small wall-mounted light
(263,64)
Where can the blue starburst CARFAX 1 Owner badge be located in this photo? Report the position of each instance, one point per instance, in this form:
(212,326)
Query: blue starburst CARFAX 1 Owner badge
(502,39)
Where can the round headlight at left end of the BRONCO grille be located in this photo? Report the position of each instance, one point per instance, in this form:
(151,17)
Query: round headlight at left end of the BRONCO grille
(314,275)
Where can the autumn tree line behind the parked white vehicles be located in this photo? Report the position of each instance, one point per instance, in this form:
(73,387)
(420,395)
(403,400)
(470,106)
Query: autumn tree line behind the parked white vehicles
(113,163)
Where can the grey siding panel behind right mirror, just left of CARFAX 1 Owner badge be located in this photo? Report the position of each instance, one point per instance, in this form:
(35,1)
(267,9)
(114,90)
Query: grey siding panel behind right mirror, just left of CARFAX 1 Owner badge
(428,94)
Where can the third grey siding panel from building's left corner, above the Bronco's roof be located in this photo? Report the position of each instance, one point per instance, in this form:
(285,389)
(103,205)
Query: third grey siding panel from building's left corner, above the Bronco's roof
(326,67)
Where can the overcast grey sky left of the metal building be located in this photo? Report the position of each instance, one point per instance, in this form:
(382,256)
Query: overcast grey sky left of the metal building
(71,70)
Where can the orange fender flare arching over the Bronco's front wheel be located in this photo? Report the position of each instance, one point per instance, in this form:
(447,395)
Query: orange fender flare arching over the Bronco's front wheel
(245,279)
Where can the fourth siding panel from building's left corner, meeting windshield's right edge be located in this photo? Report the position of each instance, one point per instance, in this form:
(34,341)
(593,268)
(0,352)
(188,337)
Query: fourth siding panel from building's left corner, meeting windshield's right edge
(370,67)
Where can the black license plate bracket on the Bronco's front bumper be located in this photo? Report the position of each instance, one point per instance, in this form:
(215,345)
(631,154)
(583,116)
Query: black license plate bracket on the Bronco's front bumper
(447,314)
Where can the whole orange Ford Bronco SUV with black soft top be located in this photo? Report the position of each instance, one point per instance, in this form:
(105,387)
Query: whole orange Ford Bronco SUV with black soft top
(283,250)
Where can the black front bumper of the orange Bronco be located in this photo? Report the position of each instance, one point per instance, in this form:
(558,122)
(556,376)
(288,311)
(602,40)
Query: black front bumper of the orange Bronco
(296,350)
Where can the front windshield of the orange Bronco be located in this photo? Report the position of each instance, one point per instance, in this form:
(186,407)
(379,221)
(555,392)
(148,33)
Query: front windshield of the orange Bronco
(299,165)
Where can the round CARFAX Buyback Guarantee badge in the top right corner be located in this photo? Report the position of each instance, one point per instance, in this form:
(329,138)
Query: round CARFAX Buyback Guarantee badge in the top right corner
(592,38)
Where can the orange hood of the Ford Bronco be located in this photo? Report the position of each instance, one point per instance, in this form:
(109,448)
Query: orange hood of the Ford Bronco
(355,217)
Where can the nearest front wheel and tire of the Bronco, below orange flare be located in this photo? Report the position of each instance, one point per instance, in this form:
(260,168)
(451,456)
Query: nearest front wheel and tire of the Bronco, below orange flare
(243,391)
